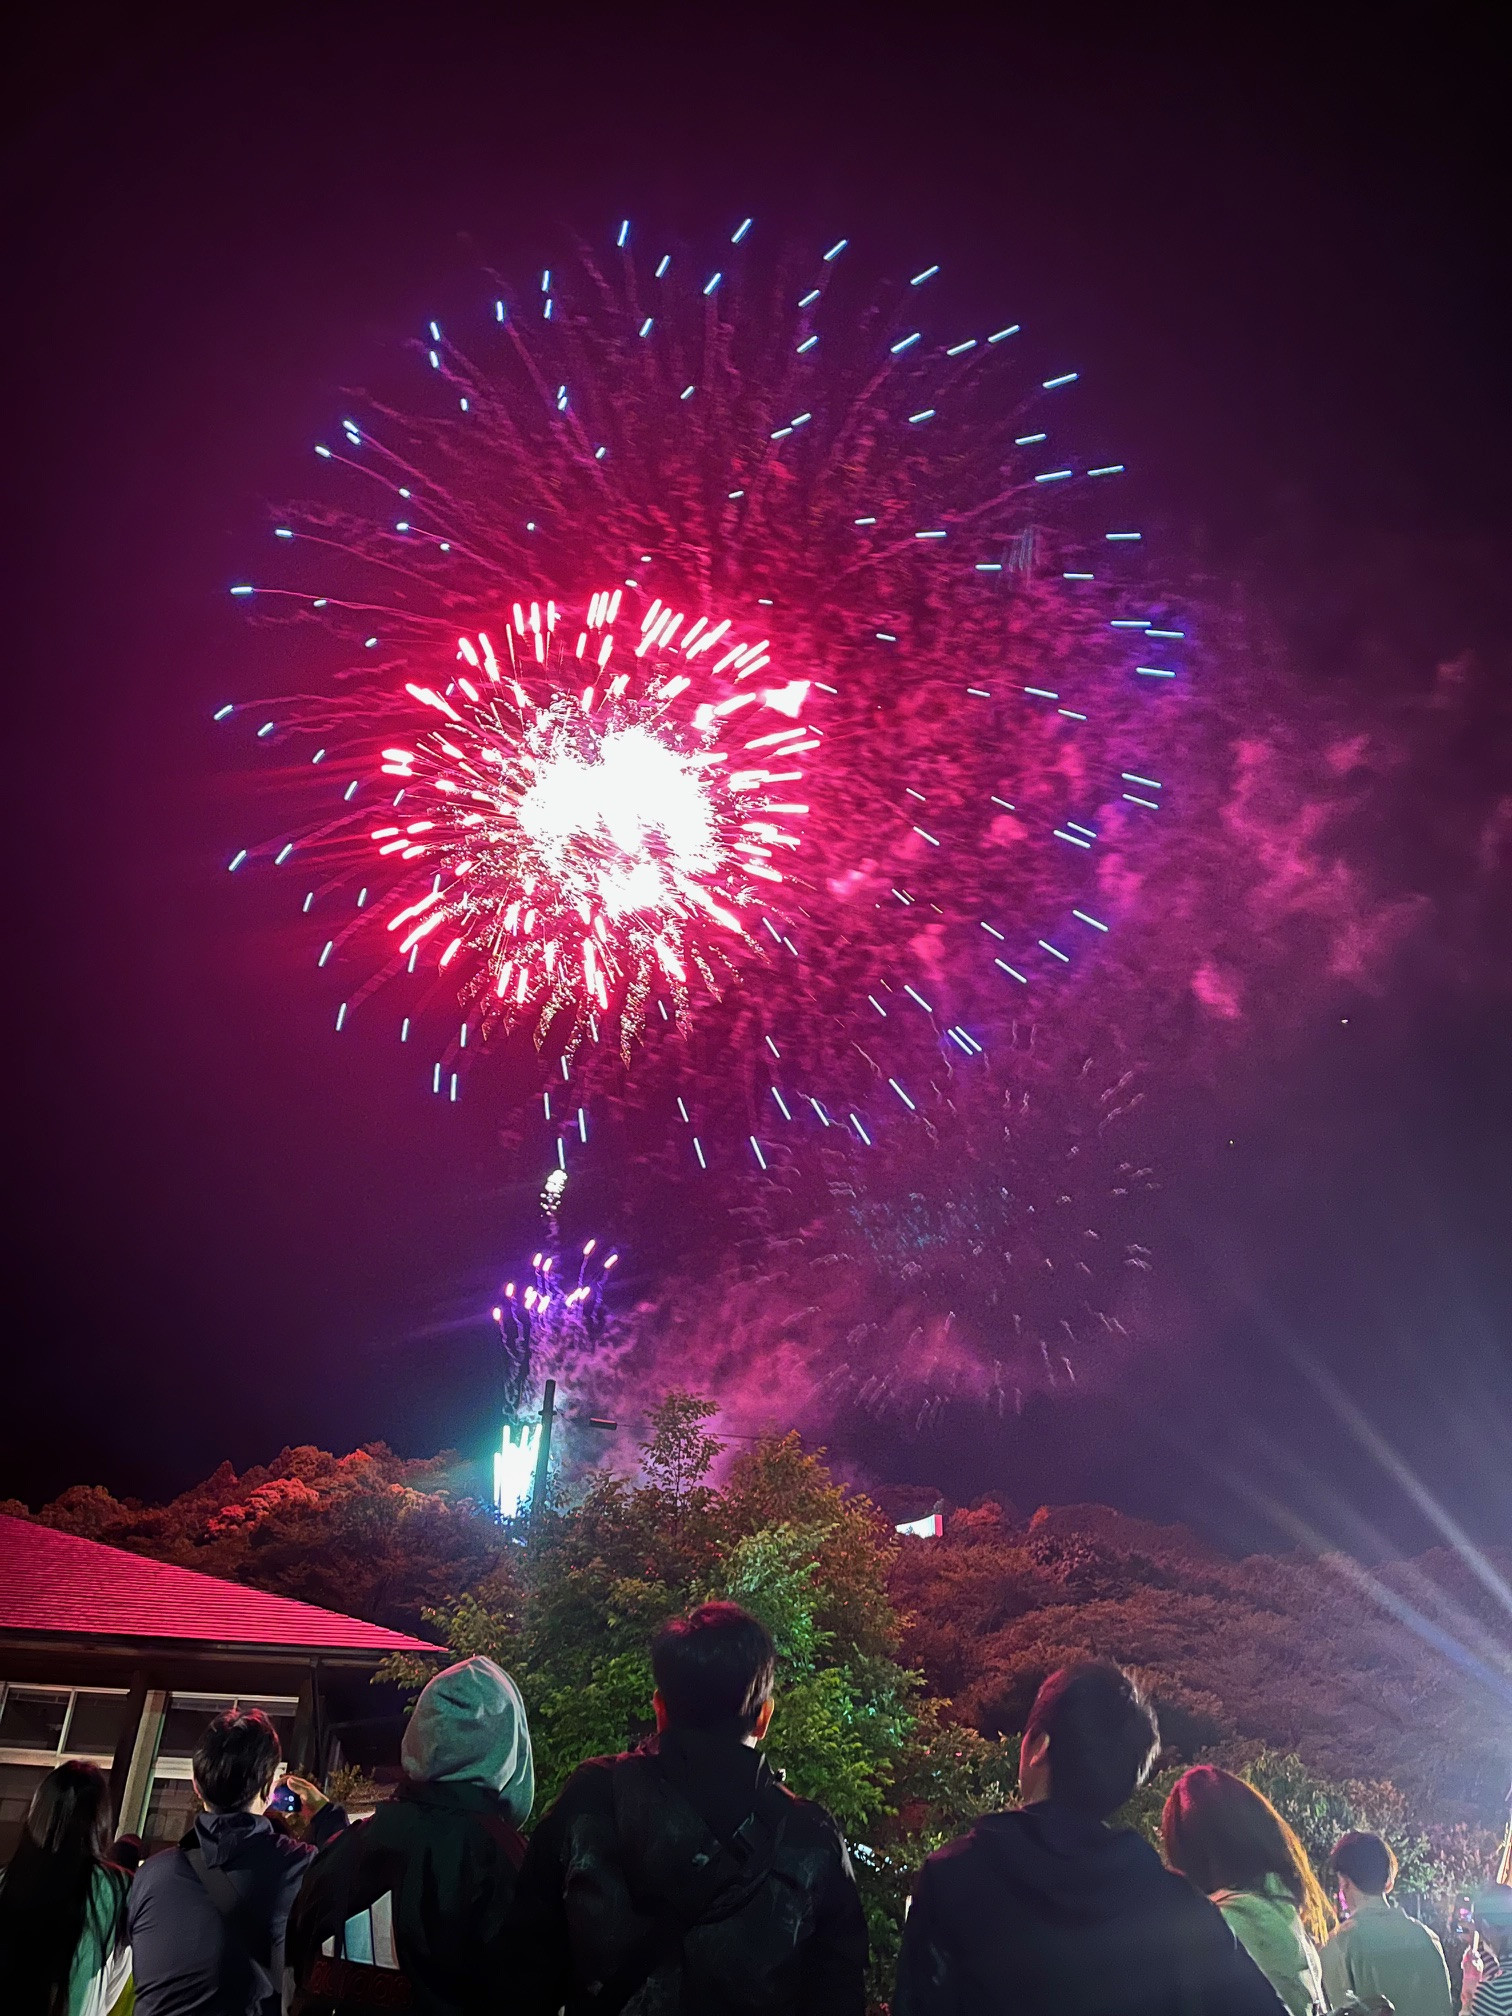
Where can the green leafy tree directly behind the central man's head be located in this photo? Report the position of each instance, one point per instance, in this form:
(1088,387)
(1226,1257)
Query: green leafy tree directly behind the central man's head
(576,1604)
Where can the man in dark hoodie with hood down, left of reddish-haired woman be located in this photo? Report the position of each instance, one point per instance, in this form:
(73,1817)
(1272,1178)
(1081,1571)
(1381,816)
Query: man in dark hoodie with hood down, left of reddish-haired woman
(1049,1910)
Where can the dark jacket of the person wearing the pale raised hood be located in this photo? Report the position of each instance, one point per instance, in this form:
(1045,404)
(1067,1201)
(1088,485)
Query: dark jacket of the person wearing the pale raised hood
(447,1856)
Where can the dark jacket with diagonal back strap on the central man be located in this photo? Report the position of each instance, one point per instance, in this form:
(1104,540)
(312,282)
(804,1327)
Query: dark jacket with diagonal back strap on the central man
(688,1856)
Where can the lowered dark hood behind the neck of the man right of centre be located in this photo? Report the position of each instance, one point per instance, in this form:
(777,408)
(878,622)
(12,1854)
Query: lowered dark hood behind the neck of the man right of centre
(1078,1872)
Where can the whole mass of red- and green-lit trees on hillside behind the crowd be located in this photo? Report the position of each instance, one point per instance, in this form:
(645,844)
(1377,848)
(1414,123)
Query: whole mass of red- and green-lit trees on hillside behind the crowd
(904,1670)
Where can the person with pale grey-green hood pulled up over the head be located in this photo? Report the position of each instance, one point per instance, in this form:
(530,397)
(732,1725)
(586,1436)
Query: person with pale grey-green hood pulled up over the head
(426,1886)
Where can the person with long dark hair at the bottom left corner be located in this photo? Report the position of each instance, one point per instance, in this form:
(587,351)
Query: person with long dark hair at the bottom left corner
(64,1904)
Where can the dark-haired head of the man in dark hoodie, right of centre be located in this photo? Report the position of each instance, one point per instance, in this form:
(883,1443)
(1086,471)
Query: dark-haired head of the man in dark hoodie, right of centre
(1090,1741)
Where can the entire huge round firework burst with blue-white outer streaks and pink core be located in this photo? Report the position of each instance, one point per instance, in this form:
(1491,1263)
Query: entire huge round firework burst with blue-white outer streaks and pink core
(912,535)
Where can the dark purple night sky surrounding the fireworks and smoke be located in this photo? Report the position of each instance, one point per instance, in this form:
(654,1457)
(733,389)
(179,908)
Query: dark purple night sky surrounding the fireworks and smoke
(1279,255)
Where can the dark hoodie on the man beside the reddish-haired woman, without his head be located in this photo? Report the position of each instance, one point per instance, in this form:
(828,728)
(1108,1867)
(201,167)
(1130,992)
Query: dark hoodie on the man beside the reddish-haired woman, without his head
(1049,1914)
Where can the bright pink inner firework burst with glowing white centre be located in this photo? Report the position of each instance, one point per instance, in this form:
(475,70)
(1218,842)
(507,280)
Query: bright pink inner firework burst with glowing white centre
(586,834)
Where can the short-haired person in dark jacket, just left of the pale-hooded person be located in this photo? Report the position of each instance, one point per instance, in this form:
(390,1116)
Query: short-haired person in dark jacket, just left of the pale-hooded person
(209,1920)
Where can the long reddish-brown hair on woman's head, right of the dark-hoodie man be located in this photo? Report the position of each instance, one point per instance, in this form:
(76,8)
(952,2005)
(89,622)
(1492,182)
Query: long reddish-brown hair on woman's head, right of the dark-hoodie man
(1223,1836)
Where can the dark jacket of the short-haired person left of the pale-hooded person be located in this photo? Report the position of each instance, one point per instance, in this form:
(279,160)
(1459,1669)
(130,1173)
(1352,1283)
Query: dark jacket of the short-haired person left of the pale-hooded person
(186,1959)
